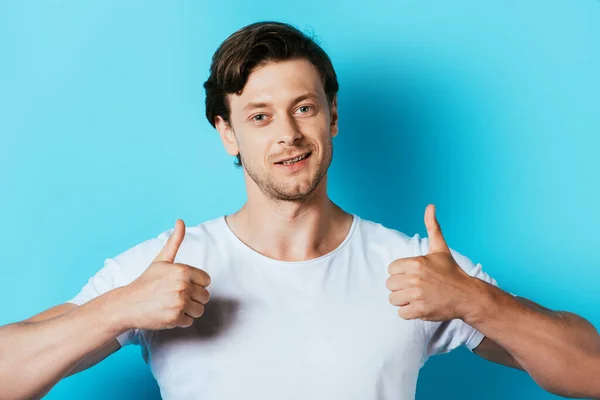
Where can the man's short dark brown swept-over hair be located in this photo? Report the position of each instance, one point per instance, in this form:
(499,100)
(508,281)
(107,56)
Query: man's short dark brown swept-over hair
(252,46)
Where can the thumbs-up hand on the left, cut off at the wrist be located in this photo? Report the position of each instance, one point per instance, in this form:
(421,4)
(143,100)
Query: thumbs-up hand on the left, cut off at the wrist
(167,294)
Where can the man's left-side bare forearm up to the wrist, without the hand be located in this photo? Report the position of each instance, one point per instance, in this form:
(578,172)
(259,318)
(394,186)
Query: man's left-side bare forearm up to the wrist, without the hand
(35,356)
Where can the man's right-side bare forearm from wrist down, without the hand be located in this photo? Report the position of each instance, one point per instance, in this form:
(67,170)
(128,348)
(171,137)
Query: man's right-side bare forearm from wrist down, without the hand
(559,350)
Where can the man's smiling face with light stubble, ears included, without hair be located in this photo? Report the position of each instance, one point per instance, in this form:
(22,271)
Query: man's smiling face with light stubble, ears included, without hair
(282,113)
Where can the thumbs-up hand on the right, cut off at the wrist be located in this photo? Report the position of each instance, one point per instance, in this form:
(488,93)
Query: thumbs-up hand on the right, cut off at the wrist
(431,287)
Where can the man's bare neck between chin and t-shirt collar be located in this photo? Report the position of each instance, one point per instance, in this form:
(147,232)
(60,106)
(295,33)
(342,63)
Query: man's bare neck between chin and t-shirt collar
(291,230)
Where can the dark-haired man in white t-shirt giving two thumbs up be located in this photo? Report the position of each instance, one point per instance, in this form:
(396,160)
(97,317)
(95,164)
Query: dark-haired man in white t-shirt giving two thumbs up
(291,297)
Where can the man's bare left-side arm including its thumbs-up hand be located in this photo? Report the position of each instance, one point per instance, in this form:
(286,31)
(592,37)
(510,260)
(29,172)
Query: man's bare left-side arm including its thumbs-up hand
(37,353)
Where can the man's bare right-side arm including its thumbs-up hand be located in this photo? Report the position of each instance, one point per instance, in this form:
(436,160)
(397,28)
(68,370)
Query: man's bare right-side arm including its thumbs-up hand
(559,350)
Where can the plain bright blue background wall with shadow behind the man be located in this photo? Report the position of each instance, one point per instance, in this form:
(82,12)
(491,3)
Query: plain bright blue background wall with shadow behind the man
(490,111)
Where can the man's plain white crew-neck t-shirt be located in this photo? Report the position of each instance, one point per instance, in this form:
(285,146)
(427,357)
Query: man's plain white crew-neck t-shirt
(316,329)
